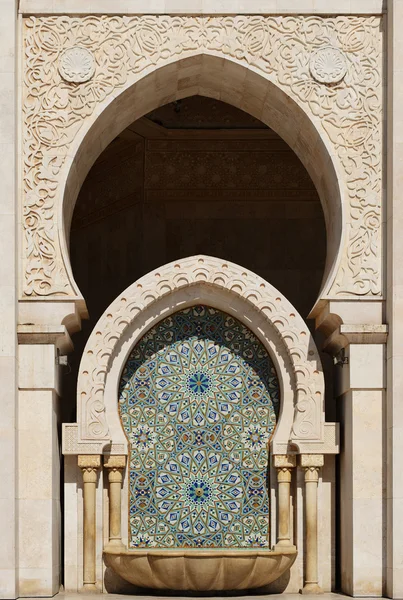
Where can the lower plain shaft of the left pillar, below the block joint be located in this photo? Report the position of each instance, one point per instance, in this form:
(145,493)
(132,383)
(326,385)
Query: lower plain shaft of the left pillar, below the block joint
(39,492)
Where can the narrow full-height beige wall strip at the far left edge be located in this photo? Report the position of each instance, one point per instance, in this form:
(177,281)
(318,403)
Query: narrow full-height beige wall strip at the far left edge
(8,295)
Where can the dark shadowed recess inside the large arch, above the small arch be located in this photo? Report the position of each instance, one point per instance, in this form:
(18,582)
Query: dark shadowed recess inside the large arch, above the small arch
(195,176)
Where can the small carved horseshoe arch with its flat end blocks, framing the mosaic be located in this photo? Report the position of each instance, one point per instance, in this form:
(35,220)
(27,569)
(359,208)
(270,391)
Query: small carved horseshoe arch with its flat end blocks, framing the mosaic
(303,430)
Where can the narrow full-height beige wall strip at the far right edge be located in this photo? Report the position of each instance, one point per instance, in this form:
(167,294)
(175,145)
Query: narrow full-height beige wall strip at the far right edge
(394,307)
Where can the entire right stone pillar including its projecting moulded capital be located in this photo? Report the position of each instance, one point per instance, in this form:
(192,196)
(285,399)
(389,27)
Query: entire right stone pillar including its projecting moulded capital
(356,336)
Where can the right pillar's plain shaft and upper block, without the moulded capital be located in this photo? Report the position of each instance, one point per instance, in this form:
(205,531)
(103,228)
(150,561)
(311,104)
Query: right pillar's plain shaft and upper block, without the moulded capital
(361,405)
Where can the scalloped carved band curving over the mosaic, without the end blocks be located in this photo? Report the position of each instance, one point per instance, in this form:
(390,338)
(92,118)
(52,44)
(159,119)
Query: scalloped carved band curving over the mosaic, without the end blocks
(292,332)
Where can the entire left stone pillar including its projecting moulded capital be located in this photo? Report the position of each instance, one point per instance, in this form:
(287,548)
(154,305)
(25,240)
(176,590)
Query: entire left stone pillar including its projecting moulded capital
(42,339)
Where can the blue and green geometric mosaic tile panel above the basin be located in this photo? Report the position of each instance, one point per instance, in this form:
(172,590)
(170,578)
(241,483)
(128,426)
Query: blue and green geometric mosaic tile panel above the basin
(198,400)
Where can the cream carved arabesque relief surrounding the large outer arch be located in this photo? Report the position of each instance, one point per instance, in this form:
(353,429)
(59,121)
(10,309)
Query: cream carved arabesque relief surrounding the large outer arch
(281,48)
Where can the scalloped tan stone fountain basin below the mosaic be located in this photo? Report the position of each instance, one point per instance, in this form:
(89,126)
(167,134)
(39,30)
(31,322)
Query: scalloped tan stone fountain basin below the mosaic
(199,569)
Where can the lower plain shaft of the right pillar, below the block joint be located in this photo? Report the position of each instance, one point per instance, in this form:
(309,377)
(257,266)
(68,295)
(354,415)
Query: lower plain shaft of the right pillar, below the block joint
(362,525)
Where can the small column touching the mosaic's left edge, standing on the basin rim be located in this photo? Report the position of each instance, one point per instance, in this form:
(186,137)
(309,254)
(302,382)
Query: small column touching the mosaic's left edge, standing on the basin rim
(115,466)
